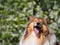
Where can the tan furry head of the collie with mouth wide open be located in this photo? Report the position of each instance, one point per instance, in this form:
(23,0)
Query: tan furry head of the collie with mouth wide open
(37,25)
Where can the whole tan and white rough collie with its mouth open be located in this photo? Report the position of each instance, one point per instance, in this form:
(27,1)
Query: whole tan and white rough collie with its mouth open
(38,33)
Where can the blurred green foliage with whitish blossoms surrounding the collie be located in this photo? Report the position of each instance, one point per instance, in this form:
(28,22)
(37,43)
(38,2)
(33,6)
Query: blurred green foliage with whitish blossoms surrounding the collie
(14,16)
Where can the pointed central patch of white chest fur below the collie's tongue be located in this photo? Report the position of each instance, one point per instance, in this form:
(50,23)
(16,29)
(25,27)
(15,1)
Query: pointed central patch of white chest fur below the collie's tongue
(32,40)
